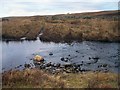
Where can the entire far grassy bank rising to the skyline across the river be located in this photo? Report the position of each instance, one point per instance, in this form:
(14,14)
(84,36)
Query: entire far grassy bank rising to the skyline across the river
(97,26)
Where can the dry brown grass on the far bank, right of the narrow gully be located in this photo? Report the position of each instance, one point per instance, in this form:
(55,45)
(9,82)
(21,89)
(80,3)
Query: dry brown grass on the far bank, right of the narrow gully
(83,29)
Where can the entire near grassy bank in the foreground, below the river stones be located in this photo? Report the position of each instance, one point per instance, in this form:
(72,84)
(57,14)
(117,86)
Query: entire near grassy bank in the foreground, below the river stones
(34,78)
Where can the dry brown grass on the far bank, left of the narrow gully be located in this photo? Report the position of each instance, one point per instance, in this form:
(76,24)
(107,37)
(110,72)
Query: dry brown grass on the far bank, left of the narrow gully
(17,28)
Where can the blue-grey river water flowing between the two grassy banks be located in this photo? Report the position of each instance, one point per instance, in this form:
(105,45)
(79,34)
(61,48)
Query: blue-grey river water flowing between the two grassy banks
(15,54)
